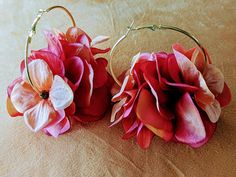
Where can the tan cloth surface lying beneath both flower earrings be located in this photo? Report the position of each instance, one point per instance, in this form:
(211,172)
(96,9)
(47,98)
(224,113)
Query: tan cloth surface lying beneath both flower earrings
(94,149)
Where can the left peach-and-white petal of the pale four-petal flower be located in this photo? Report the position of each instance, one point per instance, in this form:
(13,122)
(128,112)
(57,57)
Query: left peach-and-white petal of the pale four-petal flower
(23,97)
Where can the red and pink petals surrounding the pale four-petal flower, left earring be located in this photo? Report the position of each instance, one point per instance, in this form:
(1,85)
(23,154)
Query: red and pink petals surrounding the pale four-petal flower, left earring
(72,56)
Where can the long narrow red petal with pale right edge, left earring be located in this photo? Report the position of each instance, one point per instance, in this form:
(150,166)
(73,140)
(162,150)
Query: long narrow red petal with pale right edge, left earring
(84,92)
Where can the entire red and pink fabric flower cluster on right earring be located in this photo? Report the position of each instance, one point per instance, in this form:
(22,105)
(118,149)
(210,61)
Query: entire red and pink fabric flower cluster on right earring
(175,96)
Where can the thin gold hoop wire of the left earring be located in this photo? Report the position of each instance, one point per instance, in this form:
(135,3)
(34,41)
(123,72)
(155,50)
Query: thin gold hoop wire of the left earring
(32,32)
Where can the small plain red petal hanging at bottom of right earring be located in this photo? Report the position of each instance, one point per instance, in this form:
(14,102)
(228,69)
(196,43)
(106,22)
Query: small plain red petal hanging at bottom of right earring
(144,138)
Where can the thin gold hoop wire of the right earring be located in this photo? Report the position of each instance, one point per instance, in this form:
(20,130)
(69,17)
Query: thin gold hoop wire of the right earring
(153,28)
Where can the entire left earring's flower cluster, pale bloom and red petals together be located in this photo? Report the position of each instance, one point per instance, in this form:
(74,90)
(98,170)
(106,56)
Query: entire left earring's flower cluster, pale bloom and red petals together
(68,80)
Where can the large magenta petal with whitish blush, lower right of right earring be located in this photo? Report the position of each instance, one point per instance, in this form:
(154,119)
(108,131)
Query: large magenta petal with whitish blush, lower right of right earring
(189,126)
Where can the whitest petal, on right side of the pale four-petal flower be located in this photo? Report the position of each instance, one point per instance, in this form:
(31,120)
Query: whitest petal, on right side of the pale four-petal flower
(60,94)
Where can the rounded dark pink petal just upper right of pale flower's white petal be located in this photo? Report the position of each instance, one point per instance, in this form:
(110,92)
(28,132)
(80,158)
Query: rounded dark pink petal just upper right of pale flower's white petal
(74,70)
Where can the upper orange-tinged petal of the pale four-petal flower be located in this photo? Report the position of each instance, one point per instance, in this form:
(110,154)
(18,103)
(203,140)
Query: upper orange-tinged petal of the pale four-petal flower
(41,75)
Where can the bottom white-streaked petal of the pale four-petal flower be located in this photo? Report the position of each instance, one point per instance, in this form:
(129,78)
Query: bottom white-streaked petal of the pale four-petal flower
(38,116)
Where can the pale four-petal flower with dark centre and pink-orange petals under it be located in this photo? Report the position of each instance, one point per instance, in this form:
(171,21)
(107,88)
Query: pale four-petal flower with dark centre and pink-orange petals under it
(43,105)
